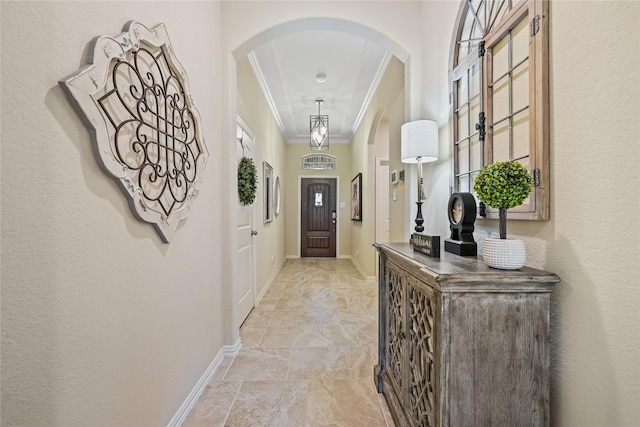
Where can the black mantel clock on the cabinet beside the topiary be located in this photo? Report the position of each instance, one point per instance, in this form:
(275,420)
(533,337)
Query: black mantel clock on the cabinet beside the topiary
(462,216)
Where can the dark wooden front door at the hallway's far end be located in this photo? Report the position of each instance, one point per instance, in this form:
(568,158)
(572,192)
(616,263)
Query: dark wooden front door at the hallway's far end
(318,217)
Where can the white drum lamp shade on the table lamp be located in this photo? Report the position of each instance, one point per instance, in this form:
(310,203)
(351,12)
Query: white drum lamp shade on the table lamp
(419,141)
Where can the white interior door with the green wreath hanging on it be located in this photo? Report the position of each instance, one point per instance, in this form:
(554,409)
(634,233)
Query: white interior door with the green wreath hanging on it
(245,294)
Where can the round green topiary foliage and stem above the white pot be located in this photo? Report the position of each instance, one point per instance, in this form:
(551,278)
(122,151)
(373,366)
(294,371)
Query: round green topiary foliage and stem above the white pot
(503,185)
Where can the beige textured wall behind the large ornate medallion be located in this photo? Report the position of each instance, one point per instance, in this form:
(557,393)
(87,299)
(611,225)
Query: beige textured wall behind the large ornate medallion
(102,324)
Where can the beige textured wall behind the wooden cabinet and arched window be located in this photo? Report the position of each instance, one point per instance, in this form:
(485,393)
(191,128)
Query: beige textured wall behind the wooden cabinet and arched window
(592,240)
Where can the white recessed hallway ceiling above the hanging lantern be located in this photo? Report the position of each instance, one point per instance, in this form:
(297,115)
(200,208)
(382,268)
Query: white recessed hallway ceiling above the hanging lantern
(287,68)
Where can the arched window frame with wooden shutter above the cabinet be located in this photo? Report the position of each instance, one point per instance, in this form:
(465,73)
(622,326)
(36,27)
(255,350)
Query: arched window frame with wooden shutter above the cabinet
(482,26)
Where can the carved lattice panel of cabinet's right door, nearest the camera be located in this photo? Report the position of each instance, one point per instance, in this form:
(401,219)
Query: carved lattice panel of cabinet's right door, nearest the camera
(422,377)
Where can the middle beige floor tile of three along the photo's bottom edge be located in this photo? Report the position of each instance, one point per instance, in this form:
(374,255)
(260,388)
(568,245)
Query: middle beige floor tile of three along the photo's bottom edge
(269,403)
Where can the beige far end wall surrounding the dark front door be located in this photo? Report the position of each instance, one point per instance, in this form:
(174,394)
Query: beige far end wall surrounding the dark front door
(292,195)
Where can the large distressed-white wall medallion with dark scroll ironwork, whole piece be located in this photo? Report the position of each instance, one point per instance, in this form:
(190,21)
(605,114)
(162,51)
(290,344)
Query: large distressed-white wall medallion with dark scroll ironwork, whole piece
(135,95)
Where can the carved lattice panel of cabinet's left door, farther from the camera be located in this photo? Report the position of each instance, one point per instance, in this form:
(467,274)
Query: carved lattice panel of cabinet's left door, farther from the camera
(395,334)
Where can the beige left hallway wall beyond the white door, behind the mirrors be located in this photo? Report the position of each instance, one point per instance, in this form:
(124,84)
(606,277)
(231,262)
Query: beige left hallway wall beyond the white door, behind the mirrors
(270,147)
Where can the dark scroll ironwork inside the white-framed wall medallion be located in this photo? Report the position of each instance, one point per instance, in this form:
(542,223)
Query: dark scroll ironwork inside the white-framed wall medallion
(157,139)
